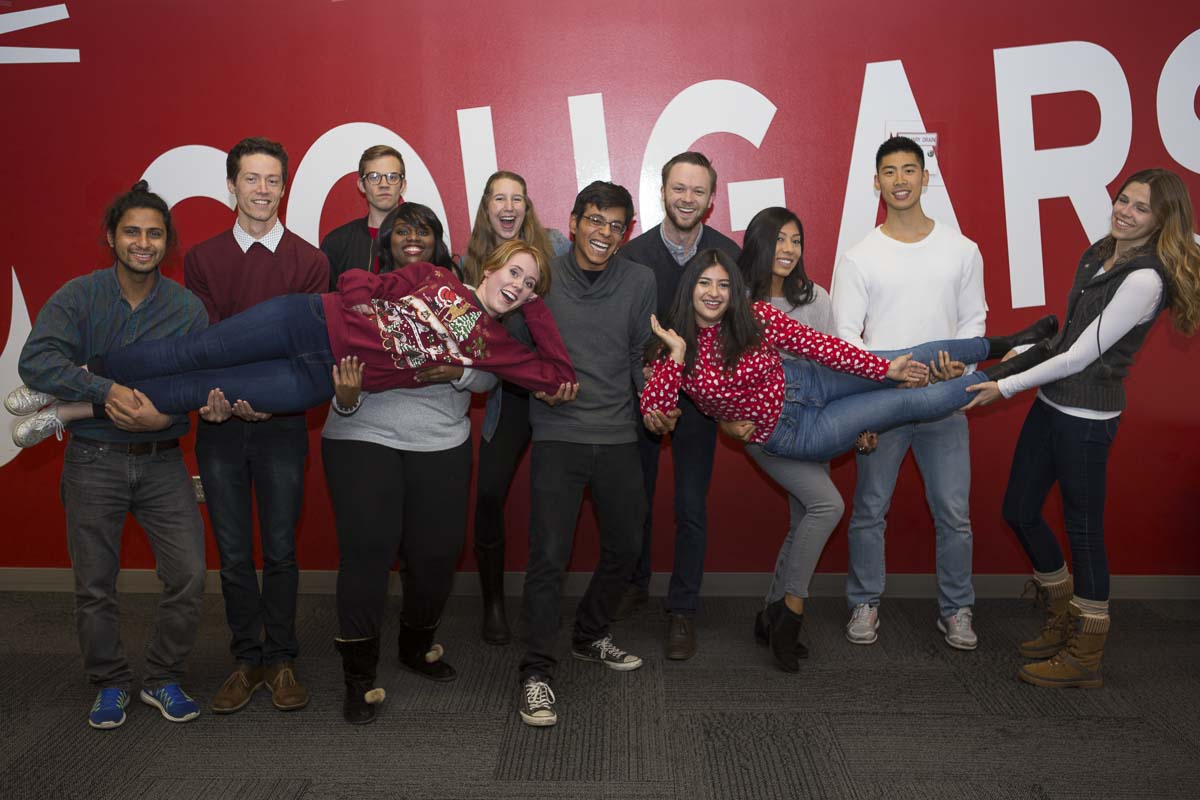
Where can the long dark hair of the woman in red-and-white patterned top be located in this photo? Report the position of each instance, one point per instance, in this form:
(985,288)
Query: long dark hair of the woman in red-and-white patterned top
(741,332)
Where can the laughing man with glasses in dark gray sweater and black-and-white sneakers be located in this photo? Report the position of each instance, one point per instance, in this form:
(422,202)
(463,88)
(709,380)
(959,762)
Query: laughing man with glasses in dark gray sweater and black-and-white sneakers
(586,437)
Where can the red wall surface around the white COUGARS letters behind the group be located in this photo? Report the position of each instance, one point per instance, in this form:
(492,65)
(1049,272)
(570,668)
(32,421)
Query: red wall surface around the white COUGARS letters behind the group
(153,77)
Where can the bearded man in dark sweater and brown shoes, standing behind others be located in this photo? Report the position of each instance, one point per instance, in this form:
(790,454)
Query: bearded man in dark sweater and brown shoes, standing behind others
(689,184)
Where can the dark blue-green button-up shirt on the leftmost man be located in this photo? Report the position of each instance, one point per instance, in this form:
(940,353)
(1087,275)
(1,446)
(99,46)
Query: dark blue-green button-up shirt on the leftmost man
(89,317)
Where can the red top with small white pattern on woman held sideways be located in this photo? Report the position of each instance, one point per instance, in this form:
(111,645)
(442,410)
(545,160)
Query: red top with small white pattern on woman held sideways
(755,389)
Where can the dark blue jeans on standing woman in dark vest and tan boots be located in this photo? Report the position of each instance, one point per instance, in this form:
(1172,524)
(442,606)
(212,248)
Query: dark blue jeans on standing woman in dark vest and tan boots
(1057,448)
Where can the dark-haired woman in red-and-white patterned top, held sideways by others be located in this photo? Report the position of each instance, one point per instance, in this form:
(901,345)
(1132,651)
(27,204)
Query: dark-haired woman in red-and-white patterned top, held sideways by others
(723,352)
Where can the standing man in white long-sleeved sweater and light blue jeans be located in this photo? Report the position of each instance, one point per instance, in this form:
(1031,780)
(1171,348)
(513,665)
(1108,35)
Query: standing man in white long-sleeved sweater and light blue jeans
(911,280)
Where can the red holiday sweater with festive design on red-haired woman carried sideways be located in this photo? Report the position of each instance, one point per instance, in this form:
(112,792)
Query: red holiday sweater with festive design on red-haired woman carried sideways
(424,316)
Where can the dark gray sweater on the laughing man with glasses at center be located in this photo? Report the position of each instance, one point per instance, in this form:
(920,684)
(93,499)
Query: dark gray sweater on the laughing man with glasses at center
(605,327)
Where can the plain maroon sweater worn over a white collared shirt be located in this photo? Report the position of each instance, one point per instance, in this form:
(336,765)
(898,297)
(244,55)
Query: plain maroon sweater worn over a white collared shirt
(229,281)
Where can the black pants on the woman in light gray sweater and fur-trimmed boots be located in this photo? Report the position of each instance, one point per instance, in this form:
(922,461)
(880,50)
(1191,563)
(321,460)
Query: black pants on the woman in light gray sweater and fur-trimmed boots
(389,503)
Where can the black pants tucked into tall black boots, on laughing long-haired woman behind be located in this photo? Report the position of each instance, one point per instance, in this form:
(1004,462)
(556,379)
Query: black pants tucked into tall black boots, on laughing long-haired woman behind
(499,462)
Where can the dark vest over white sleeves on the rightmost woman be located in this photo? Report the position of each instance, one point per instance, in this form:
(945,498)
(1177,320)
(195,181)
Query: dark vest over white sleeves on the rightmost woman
(1101,386)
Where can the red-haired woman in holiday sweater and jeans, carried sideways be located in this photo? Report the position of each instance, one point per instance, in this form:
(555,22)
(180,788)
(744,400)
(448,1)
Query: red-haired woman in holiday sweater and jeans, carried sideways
(283,356)
